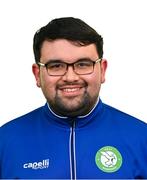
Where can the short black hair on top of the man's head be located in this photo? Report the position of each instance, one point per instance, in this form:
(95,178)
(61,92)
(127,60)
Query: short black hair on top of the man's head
(69,28)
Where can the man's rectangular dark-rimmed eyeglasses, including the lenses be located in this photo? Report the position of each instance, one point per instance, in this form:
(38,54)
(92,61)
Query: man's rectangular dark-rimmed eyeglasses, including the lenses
(60,68)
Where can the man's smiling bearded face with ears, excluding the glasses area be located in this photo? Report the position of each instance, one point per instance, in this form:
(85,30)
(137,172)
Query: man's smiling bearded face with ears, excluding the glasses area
(71,94)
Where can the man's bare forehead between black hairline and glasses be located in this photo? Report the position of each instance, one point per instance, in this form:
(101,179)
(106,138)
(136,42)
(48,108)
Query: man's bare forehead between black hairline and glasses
(65,49)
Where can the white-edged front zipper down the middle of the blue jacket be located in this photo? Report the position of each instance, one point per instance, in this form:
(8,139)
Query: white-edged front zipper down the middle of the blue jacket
(72,152)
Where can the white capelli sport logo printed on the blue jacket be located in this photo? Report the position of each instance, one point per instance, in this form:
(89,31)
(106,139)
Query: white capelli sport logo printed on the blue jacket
(37,165)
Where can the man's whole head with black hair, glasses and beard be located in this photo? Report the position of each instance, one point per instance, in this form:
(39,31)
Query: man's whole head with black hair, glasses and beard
(65,53)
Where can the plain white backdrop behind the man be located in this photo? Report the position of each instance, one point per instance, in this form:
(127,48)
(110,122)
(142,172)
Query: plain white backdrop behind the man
(123,25)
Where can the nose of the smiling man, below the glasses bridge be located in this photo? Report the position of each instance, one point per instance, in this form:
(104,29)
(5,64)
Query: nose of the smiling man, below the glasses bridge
(70,75)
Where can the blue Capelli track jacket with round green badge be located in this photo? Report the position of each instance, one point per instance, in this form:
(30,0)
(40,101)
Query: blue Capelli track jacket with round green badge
(106,144)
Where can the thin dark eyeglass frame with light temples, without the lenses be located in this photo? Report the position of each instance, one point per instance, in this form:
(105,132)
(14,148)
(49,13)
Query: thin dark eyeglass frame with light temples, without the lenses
(67,65)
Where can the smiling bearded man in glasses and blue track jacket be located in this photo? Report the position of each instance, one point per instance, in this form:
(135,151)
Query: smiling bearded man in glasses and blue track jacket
(75,135)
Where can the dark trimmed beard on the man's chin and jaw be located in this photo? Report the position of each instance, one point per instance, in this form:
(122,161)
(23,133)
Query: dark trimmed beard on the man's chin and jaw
(83,107)
